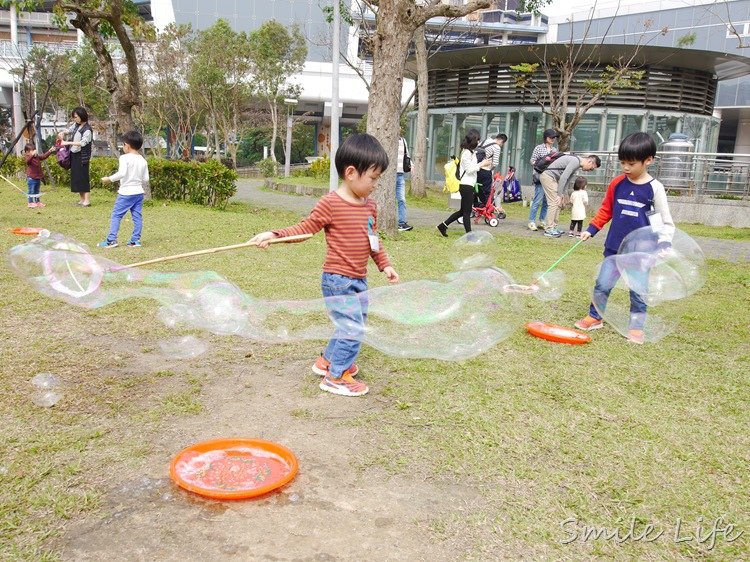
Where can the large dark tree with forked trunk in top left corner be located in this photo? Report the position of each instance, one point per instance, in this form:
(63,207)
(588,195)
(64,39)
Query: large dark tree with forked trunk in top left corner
(100,21)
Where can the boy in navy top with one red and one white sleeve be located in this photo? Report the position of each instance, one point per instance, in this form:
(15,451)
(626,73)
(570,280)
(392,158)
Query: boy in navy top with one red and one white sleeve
(632,201)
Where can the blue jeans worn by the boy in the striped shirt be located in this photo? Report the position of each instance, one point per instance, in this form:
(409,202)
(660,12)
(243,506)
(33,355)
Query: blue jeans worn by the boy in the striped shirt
(346,299)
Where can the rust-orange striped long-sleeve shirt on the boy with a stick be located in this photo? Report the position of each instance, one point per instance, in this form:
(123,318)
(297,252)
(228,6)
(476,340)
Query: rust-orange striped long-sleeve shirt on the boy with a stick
(347,226)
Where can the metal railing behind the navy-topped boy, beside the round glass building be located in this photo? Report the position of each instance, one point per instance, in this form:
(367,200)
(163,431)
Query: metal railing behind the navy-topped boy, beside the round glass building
(688,174)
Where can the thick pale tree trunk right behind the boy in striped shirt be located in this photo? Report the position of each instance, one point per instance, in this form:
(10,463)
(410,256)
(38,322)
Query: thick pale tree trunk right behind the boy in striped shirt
(390,47)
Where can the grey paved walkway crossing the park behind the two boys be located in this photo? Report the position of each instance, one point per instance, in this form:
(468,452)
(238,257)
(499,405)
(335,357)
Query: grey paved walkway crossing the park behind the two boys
(250,191)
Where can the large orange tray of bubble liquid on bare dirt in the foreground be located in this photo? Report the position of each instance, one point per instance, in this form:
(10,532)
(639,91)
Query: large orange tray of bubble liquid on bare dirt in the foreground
(233,469)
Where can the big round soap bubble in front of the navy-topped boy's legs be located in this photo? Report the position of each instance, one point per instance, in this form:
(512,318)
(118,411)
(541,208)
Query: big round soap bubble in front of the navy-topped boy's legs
(641,286)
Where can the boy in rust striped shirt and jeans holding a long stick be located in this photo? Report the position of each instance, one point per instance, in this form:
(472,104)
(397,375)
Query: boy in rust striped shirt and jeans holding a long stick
(349,218)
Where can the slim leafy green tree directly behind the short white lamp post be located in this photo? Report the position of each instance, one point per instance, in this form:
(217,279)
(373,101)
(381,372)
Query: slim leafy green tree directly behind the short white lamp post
(276,53)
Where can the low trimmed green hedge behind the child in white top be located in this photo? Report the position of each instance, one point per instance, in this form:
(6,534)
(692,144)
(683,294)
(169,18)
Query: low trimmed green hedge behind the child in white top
(203,183)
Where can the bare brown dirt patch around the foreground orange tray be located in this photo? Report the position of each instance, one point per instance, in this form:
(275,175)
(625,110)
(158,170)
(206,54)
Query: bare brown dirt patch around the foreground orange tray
(330,511)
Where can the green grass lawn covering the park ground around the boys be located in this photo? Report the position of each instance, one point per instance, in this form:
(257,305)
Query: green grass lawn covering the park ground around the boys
(555,439)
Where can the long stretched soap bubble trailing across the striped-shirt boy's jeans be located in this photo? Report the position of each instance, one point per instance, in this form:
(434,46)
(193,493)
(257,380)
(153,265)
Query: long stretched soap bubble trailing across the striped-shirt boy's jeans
(459,317)
